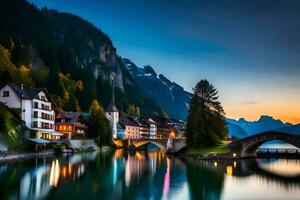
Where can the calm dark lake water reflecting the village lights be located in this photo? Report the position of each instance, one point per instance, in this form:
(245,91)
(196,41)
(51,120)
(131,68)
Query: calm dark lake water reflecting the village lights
(152,175)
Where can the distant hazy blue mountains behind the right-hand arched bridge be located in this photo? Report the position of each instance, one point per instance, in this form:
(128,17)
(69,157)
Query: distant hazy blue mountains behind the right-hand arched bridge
(264,123)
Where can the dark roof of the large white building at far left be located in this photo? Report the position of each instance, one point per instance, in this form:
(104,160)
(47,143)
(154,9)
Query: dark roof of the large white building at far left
(26,93)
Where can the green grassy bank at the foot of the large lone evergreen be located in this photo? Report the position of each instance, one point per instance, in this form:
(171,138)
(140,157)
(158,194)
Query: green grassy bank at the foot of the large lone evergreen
(218,149)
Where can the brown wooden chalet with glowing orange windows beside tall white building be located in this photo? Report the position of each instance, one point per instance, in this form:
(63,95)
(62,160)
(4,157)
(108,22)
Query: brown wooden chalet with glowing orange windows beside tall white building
(72,125)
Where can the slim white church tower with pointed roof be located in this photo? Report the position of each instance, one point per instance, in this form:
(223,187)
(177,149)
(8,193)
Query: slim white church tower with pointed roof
(112,114)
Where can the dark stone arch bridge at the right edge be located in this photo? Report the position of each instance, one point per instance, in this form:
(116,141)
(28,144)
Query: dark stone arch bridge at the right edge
(247,147)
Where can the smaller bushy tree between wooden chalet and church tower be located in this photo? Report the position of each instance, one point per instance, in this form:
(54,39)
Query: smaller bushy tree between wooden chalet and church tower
(98,125)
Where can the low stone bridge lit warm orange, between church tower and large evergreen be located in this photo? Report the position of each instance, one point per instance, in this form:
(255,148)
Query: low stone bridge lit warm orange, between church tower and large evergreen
(170,145)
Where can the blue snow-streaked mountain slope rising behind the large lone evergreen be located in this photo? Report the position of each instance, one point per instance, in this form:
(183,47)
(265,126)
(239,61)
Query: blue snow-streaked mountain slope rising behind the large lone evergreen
(170,96)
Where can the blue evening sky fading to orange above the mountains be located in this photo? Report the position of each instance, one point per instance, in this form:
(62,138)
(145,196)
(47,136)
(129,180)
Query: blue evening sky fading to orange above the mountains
(249,50)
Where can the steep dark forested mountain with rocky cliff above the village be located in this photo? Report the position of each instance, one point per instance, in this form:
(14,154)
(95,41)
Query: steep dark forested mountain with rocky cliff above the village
(69,56)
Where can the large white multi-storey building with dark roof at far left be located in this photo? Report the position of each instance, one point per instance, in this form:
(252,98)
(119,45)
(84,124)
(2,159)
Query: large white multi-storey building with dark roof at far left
(35,106)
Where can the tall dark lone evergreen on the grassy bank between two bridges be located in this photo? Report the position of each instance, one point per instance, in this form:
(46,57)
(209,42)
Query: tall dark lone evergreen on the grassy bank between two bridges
(205,125)
